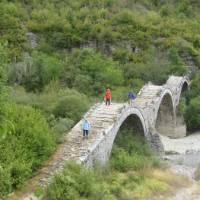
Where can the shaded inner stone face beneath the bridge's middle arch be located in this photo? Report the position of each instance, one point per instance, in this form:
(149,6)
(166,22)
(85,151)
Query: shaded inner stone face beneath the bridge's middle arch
(165,121)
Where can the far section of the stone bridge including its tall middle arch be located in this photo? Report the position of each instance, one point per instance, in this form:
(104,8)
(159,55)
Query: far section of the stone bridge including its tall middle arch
(168,121)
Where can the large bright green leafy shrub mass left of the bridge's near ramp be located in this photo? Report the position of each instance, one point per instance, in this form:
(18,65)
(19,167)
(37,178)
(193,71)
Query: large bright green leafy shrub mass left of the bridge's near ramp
(27,143)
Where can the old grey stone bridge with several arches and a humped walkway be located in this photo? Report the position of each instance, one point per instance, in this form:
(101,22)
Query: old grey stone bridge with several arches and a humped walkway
(154,112)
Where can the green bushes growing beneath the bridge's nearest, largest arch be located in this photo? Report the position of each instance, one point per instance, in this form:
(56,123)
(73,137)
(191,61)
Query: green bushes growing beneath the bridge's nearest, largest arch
(131,151)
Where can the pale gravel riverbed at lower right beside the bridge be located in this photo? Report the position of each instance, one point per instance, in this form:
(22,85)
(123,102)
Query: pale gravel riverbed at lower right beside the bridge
(183,156)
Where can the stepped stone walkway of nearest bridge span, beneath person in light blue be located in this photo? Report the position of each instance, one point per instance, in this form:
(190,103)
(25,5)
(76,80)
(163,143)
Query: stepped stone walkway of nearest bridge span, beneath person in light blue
(74,147)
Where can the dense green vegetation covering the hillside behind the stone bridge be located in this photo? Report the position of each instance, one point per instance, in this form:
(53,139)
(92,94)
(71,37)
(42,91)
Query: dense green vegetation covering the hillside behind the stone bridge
(58,56)
